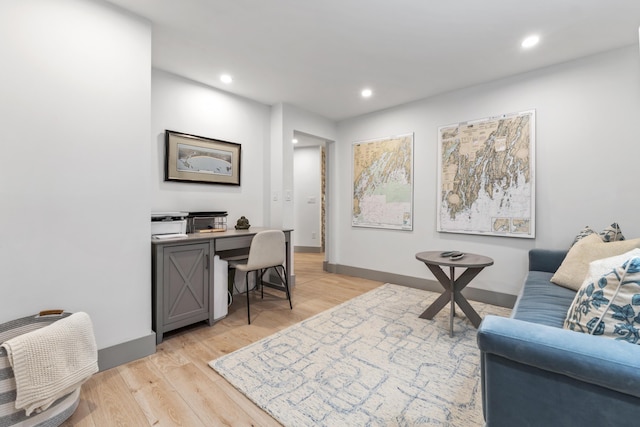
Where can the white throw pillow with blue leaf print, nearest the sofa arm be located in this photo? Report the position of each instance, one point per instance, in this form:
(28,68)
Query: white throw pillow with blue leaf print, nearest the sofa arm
(609,304)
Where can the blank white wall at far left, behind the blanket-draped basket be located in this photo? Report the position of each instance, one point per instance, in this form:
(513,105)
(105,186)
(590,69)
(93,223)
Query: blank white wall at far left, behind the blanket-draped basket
(74,170)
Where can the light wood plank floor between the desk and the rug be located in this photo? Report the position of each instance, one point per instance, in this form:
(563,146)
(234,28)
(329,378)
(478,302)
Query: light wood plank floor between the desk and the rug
(176,387)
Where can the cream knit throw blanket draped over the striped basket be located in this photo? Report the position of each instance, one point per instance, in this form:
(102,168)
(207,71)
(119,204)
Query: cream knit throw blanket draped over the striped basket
(51,362)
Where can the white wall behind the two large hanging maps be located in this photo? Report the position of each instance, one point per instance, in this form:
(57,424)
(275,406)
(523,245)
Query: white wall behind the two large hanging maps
(587,149)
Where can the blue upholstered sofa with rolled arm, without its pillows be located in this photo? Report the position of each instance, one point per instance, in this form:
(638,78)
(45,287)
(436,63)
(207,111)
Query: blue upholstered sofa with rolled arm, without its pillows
(534,373)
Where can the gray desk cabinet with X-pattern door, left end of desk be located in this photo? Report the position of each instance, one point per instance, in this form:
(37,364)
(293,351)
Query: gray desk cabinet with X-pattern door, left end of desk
(181,286)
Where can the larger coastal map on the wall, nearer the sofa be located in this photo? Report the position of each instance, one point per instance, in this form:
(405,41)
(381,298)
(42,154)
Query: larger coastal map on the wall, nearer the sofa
(486,176)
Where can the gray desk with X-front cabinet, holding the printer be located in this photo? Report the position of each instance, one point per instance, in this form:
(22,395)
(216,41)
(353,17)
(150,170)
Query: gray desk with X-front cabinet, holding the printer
(182,275)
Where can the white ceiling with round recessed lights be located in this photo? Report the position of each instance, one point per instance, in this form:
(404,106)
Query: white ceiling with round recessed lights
(318,55)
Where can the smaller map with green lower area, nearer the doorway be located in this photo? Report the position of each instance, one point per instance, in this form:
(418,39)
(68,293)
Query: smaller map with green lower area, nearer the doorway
(383,183)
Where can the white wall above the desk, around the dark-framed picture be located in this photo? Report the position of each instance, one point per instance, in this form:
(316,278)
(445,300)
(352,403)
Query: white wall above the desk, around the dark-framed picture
(183,105)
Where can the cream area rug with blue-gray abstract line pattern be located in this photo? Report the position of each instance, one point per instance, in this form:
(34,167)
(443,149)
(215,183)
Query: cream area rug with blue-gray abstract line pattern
(367,362)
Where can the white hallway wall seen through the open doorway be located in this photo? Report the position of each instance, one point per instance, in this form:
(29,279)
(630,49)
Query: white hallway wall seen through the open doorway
(307,196)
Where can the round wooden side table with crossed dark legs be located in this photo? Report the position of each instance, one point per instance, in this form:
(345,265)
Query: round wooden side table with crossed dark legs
(473,263)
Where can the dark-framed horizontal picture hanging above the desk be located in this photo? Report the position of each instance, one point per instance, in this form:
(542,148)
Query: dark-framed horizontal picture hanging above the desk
(192,158)
